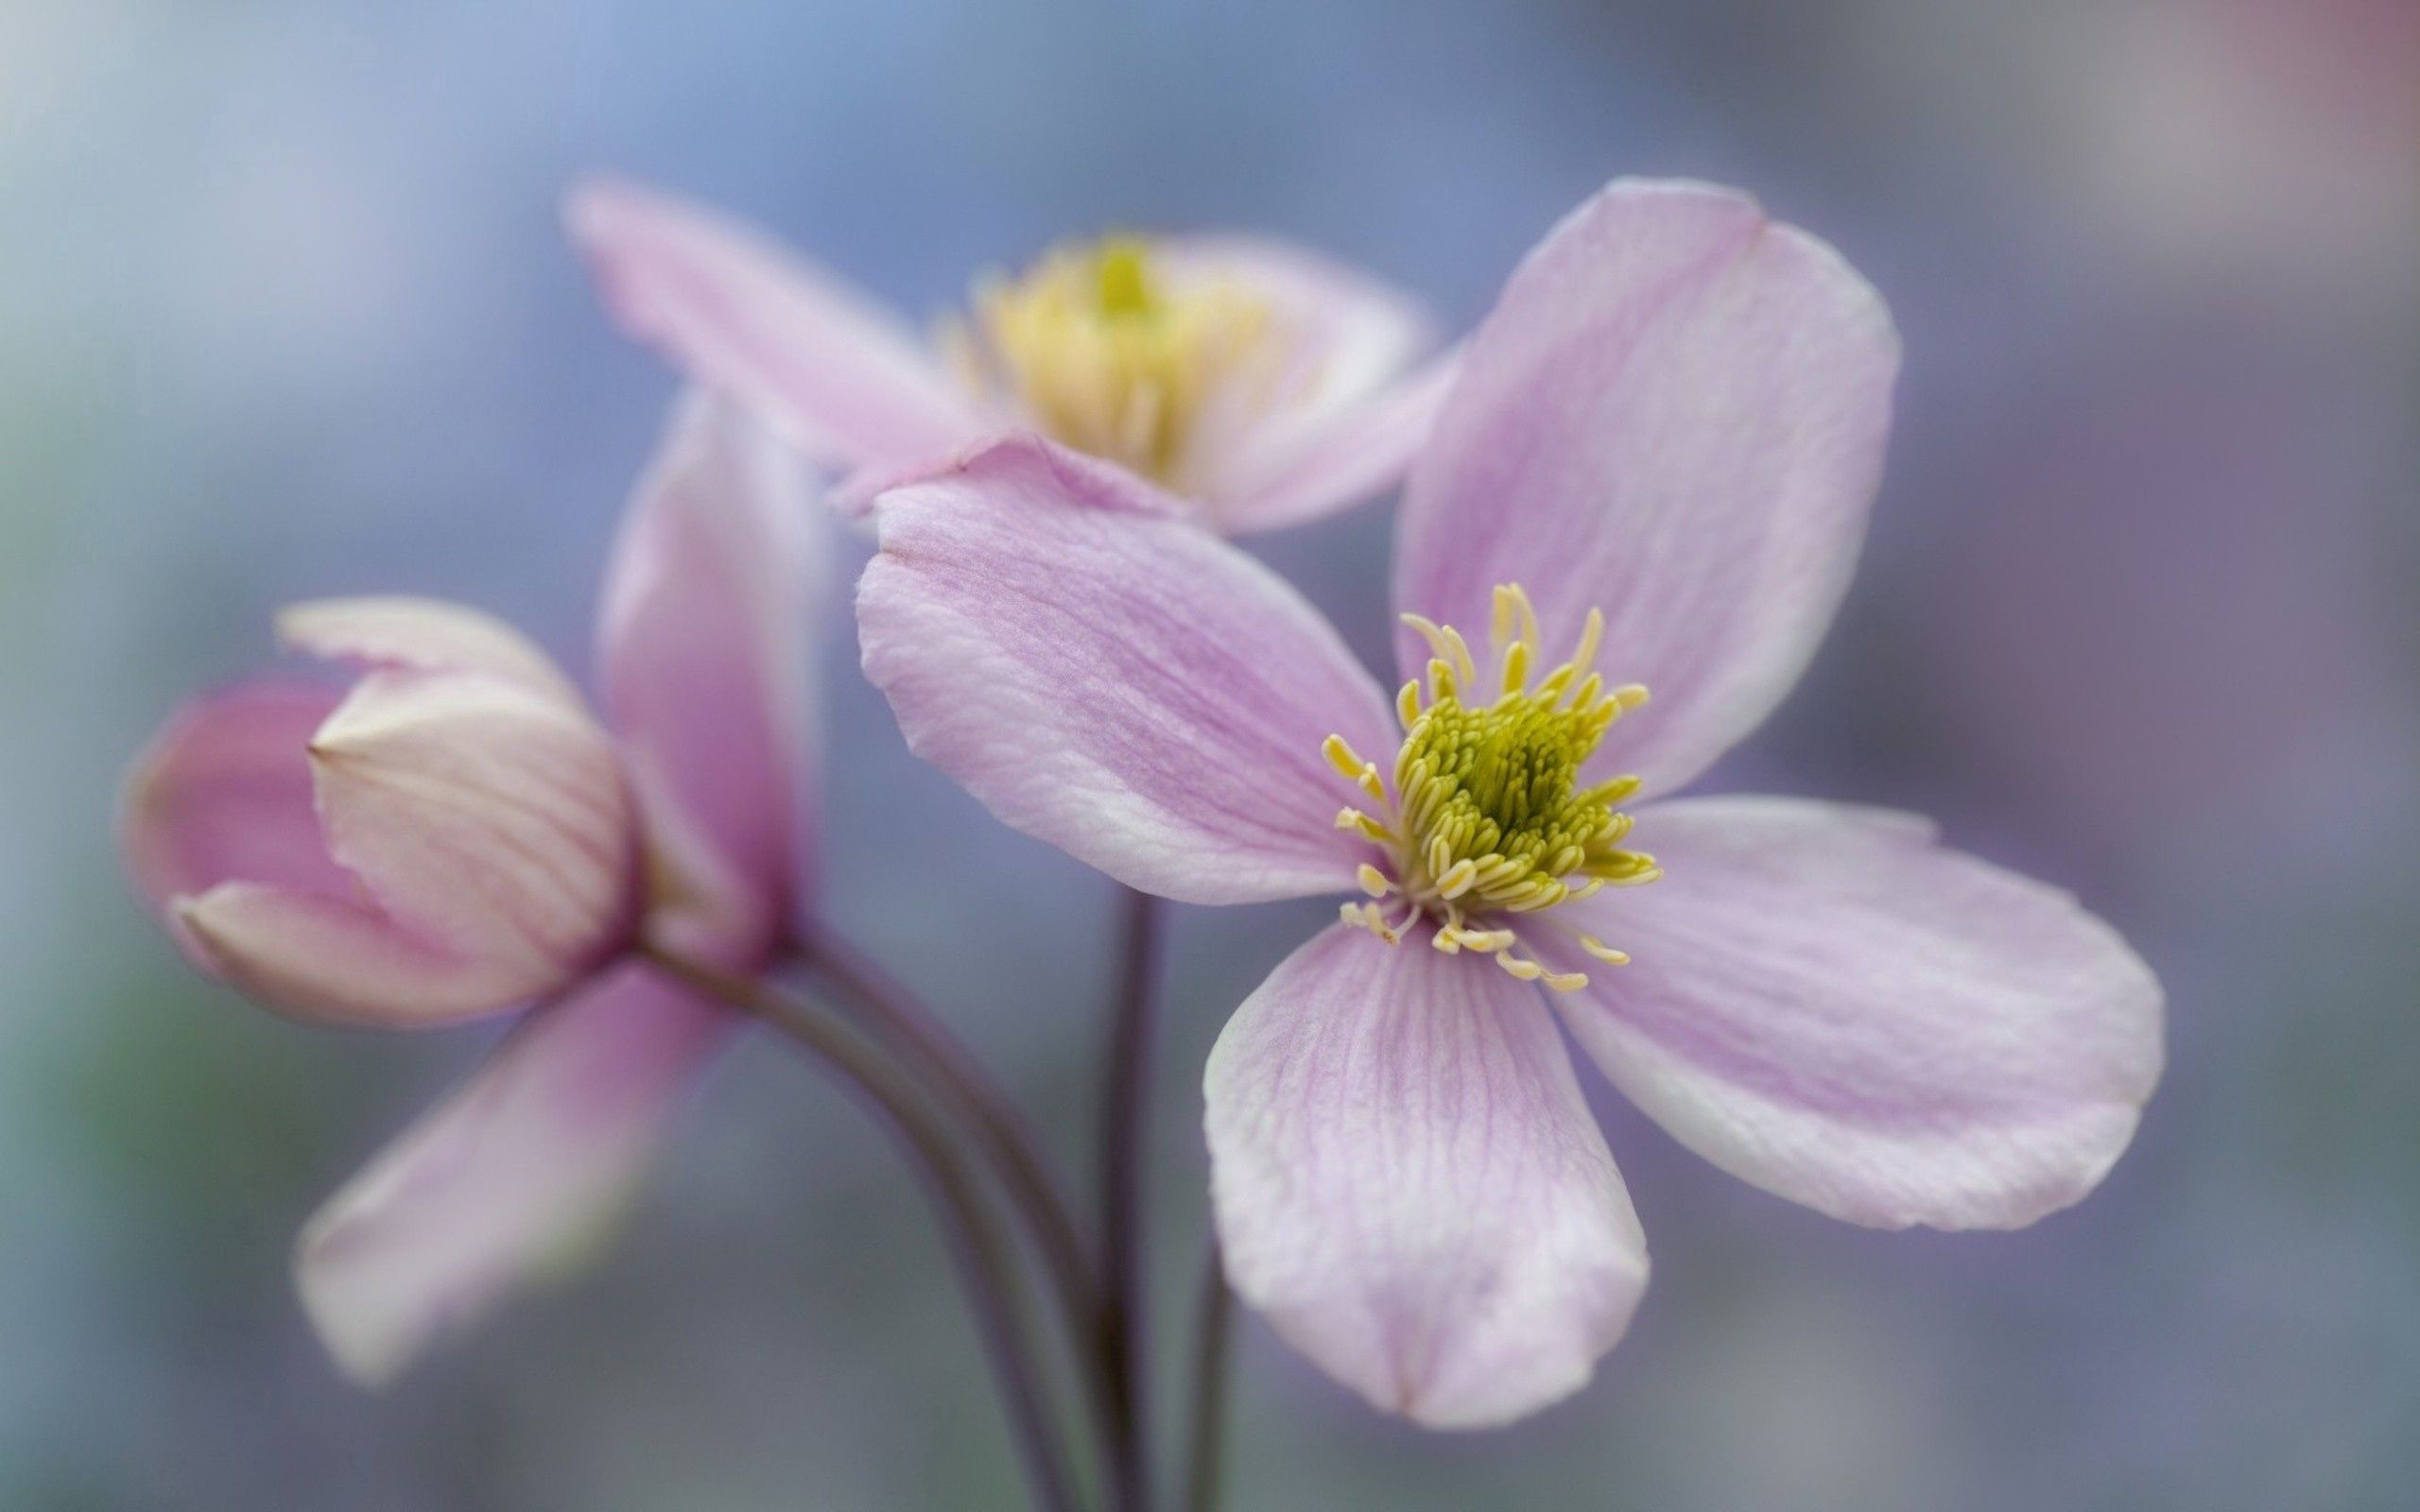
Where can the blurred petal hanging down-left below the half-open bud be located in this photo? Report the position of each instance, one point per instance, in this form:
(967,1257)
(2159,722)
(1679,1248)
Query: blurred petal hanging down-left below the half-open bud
(509,1179)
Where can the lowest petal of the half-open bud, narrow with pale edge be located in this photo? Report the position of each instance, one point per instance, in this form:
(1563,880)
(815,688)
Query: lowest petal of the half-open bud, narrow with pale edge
(338,959)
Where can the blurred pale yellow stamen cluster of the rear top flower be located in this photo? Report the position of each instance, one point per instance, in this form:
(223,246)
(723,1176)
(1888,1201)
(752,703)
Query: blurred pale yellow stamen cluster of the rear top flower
(1107,357)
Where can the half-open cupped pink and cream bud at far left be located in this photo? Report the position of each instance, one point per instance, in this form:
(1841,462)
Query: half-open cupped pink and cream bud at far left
(444,841)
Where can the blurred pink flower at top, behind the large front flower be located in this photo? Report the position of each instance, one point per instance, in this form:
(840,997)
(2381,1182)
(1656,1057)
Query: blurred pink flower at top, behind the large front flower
(1255,379)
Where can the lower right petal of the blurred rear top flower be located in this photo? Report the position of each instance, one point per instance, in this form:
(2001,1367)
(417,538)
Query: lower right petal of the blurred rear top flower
(1303,473)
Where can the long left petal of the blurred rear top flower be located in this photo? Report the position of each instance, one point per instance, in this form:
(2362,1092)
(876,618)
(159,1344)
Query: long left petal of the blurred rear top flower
(824,367)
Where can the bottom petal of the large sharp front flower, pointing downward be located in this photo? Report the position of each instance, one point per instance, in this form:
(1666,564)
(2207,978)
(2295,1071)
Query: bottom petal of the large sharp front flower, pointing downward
(1410,1184)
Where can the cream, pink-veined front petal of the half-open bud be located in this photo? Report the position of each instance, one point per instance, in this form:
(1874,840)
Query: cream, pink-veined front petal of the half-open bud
(488,819)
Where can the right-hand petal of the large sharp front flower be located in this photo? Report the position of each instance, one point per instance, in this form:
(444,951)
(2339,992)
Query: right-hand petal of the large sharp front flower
(1828,1005)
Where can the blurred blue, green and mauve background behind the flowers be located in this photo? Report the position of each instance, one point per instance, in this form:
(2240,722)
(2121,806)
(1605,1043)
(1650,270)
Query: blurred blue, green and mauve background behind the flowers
(284,311)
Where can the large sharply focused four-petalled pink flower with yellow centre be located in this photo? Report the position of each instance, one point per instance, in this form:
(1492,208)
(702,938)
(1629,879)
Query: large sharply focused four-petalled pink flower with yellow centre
(1654,473)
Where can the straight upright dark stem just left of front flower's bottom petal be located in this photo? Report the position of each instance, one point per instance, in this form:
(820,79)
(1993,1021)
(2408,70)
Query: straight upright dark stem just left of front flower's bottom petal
(1124,1145)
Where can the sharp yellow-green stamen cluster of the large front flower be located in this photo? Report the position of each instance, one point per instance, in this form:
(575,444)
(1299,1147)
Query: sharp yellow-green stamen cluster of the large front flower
(1487,821)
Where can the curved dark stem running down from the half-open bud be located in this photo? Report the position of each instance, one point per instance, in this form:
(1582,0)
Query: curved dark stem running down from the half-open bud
(984,1250)
